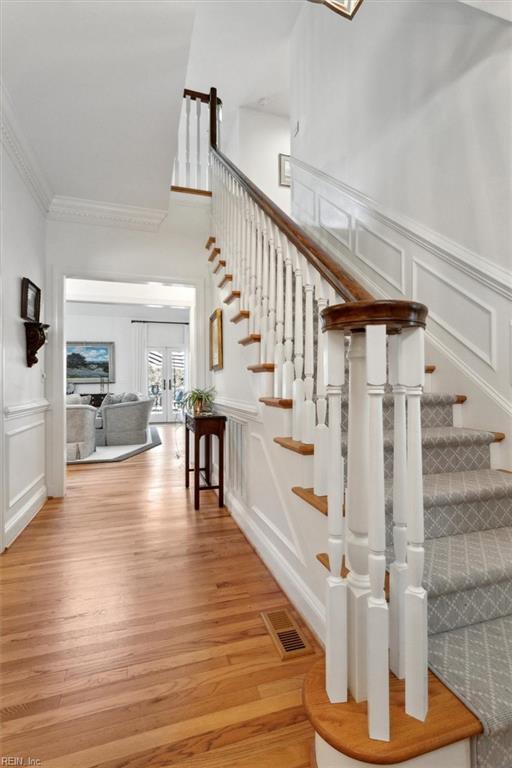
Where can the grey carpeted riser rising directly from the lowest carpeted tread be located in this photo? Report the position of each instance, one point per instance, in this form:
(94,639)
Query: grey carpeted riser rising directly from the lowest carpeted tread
(460,609)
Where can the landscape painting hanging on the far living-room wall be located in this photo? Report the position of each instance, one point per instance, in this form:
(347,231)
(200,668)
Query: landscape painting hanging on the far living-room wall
(90,362)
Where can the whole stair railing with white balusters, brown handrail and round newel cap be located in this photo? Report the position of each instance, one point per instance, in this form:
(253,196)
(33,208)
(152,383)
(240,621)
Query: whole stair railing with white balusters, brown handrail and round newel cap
(330,347)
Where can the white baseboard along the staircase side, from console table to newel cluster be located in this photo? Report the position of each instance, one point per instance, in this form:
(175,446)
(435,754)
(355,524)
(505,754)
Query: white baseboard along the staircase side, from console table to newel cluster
(305,601)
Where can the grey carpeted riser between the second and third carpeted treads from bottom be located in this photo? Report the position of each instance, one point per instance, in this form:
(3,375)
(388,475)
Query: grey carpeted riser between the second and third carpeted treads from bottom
(449,520)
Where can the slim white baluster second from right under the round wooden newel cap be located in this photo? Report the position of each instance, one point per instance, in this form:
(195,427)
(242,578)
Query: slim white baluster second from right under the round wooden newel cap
(398,569)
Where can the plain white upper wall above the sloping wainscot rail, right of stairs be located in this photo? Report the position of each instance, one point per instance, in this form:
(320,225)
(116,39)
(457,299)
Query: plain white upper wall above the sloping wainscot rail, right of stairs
(411,104)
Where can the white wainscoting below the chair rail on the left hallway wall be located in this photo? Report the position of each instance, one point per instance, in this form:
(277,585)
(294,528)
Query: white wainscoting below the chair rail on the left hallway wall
(25,466)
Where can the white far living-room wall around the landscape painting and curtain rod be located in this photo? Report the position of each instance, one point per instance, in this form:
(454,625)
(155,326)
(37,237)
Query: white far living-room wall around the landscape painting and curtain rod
(110,322)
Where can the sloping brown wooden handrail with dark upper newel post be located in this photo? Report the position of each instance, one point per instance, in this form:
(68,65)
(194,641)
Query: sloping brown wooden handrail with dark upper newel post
(343,283)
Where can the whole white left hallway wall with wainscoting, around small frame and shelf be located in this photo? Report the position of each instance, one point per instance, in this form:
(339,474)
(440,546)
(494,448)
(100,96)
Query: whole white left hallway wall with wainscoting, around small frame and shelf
(23,404)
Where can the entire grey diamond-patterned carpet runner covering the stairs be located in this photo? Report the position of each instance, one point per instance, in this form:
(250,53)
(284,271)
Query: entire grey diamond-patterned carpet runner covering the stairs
(468,570)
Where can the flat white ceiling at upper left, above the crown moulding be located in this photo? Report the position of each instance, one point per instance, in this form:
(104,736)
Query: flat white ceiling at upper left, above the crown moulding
(96,86)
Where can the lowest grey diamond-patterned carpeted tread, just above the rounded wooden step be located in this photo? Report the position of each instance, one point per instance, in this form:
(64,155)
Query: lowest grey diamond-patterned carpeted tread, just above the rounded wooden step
(475,663)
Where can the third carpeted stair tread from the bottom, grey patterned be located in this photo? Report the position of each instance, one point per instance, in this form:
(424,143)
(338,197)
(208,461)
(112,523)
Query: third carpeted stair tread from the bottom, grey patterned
(460,487)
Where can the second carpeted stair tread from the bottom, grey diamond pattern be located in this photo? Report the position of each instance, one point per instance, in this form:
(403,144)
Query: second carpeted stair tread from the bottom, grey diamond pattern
(467,560)
